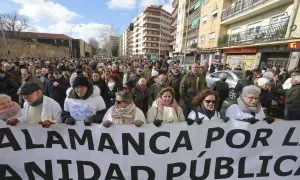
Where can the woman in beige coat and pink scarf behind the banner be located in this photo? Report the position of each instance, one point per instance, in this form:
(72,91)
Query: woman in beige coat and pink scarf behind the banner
(165,109)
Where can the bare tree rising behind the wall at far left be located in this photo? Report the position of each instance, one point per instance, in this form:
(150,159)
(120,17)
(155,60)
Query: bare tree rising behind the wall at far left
(13,22)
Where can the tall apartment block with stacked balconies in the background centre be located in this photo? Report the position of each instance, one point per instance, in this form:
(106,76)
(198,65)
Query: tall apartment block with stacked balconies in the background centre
(151,35)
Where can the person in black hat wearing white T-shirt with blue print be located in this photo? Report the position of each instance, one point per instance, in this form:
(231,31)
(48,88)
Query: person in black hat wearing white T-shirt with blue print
(83,103)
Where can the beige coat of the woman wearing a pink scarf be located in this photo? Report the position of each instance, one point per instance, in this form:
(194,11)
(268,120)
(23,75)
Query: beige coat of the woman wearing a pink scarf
(168,115)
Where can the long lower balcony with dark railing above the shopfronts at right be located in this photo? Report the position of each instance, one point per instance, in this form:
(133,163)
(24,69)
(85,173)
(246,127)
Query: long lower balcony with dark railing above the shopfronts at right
(263,34)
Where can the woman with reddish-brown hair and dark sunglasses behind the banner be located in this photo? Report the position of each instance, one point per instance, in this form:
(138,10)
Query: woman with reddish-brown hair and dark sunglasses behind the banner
(205,103)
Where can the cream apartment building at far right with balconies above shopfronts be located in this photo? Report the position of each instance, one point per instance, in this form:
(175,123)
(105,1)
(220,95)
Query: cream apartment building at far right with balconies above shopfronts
(258,32)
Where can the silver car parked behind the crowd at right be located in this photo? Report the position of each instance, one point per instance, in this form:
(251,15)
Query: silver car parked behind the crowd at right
(232,79)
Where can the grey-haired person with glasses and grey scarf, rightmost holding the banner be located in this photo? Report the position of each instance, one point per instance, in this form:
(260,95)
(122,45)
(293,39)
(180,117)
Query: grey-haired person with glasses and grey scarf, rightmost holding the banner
(248,107)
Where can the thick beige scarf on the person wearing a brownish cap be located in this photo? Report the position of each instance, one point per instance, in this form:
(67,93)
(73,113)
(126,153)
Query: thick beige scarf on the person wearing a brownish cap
(124,115)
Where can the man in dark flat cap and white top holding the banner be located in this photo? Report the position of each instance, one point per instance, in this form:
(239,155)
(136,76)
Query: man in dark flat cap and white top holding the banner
(38,109)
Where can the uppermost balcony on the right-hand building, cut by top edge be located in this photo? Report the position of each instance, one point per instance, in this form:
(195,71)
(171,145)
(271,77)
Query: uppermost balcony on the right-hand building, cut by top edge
(244,9)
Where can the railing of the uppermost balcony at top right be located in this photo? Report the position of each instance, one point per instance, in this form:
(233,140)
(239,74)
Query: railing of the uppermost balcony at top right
(241,6)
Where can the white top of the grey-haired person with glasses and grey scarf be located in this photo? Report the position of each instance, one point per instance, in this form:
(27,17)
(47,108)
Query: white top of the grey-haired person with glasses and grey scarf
(234,111)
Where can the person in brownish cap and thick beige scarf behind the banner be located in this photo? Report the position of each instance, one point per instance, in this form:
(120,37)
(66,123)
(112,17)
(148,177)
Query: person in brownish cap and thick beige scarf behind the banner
(124,111)
